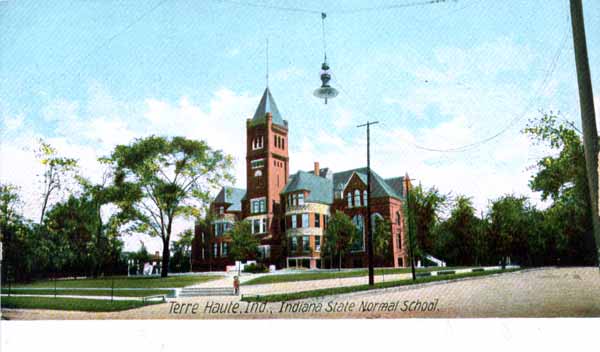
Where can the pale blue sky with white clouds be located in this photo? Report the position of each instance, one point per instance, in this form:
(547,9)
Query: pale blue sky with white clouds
(88,75)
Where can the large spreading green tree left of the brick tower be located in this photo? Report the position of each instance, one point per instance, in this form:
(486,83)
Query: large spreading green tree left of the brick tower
(165,179)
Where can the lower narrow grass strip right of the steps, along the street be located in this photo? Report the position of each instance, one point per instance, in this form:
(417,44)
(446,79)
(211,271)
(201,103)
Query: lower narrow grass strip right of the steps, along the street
(348,289)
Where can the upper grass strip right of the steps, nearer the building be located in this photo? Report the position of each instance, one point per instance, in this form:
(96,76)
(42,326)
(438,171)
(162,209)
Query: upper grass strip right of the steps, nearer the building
(272,279)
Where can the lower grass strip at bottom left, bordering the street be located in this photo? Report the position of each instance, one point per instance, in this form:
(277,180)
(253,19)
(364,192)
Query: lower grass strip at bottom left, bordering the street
(87,305)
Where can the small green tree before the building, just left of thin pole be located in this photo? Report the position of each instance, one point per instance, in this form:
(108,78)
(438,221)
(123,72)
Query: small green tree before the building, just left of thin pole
(341,233)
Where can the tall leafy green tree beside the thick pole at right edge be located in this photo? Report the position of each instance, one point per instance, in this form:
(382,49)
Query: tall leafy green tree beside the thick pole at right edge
(561,177)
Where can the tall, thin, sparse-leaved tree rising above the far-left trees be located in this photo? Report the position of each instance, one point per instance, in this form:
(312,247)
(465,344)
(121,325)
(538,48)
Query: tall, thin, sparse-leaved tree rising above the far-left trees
(57,170)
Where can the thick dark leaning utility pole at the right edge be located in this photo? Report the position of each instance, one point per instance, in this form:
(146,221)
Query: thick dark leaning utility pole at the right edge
(588,118)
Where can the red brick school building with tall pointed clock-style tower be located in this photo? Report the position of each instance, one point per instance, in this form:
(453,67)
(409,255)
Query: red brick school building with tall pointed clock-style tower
(289,213)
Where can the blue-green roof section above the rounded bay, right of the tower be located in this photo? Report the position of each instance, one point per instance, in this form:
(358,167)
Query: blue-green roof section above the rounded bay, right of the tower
(320,188)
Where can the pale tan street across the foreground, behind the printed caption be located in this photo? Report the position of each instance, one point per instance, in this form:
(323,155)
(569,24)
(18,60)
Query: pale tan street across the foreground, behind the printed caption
(550,292)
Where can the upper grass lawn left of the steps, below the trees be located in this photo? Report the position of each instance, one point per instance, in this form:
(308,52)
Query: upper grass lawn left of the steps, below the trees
(123,282)
